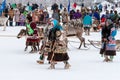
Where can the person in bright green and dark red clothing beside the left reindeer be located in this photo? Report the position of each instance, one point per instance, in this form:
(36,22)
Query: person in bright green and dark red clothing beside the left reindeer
(32,32)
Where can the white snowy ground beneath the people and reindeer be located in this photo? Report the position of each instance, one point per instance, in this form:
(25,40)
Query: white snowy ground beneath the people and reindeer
(15,64)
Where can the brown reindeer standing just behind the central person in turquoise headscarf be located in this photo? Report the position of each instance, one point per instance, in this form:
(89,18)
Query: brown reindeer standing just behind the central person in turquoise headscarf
(78,27)
